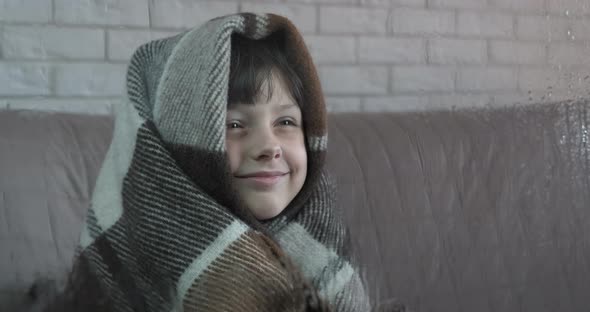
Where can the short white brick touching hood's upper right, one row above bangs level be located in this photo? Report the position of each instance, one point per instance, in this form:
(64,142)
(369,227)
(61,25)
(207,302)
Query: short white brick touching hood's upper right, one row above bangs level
(331,49)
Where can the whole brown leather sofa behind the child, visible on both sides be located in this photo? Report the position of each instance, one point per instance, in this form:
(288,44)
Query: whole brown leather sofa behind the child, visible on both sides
(475,210)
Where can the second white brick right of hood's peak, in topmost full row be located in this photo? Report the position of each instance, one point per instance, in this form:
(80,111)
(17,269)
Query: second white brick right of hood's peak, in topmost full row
(413,21)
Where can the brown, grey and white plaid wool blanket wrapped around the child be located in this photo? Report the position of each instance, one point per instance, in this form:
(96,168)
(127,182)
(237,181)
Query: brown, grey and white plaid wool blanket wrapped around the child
(165,230)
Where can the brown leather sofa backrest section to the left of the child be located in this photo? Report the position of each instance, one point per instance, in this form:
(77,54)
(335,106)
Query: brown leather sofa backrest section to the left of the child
(49,163)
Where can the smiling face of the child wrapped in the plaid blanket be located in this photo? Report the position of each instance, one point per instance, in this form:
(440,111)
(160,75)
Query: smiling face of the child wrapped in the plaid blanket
(266,149)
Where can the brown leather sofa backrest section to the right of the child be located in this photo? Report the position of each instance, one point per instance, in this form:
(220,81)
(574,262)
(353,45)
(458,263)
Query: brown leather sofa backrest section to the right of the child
(483,210)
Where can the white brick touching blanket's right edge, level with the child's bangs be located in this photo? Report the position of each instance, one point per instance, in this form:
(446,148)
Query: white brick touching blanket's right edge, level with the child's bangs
(354,80)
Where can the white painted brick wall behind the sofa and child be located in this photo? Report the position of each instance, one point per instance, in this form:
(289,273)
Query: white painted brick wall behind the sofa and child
(372,55)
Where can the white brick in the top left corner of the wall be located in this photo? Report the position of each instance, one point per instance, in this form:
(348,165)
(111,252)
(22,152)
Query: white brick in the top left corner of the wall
(25,11)
